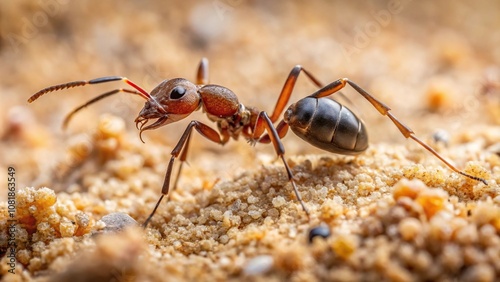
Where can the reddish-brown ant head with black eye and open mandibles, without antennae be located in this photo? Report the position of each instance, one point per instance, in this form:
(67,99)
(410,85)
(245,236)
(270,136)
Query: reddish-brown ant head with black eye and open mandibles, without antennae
(171,101)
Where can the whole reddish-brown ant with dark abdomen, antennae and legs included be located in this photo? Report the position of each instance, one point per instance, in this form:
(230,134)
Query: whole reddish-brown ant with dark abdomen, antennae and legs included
(320,121)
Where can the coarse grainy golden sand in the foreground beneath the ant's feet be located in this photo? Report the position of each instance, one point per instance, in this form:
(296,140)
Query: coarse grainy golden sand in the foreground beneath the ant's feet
(383,225)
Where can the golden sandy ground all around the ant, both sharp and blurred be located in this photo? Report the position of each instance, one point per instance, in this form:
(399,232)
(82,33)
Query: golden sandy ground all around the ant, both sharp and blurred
(395,212)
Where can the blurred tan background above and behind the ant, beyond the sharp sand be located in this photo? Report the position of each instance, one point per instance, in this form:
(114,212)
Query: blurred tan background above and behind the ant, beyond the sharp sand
(435,63)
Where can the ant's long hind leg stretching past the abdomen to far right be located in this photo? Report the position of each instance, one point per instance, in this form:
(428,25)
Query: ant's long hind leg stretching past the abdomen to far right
(385,110)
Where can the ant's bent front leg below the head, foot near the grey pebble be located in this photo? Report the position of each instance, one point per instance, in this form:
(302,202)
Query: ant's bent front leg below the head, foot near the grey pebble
(206,132)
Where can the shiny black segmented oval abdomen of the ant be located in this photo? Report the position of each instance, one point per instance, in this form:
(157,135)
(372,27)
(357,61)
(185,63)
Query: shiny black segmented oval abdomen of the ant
(327,125)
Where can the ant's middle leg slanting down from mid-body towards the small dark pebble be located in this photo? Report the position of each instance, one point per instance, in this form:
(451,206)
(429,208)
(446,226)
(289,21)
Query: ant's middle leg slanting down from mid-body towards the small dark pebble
(280,150)
